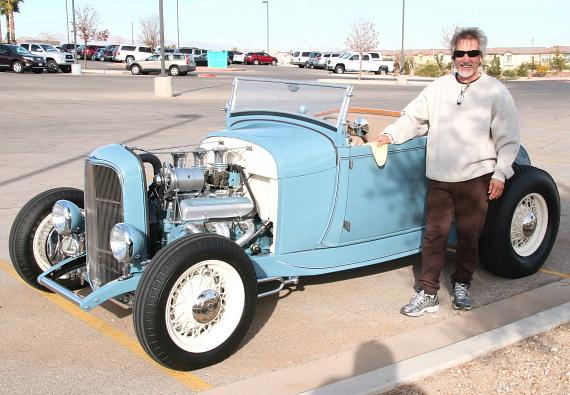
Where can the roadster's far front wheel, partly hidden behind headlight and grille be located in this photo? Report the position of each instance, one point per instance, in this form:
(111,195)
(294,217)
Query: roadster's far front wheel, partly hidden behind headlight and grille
(33,242)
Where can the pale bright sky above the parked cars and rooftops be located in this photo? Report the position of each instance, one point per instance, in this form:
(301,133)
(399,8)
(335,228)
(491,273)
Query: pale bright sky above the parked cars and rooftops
(311,24)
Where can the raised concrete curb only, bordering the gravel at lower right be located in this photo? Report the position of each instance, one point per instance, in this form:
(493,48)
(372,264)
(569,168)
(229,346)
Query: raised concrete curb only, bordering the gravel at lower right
(416,368)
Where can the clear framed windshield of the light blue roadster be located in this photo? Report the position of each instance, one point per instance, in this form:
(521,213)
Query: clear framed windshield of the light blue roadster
(327,103)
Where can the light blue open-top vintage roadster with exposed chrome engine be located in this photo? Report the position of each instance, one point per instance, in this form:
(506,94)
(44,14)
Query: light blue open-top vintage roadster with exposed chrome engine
(278,194)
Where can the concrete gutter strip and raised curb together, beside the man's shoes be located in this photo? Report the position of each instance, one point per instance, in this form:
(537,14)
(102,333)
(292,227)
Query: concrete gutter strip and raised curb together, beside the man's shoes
(381,364)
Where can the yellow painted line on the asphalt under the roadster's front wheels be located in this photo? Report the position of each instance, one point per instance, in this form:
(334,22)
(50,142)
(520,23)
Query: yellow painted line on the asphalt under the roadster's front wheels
(188,379)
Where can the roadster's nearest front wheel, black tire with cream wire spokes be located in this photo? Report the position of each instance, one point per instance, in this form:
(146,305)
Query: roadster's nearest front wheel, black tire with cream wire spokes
(195,302)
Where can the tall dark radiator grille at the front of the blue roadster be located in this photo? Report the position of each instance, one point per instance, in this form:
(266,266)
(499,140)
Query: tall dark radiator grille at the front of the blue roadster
(103,209)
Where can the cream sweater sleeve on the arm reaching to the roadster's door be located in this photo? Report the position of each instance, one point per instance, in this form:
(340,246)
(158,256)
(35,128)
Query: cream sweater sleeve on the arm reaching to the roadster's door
(413,122)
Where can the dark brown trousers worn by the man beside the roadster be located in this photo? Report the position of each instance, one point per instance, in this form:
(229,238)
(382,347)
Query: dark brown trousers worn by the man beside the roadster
(467,202)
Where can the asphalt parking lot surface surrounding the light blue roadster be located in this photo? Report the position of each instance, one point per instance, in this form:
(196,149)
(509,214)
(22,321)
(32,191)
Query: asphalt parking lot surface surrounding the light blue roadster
(51,121)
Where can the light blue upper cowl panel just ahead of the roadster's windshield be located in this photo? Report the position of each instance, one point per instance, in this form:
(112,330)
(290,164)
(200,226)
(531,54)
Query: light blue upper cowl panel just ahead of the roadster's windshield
(297,150)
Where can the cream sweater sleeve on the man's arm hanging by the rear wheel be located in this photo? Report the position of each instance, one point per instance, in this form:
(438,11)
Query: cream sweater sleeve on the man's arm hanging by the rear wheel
(505,134)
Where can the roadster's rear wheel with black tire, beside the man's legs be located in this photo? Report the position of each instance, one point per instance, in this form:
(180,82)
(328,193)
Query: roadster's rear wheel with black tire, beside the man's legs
(522,225)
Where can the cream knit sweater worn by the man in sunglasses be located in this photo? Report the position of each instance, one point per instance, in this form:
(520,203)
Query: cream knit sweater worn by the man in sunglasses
(465,141)
